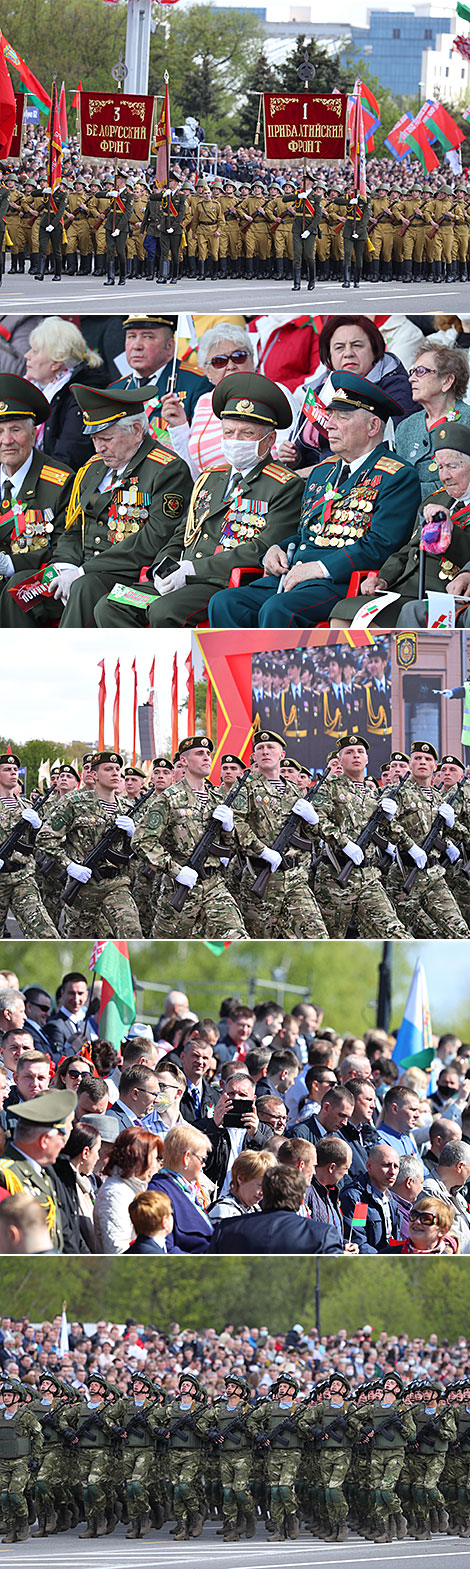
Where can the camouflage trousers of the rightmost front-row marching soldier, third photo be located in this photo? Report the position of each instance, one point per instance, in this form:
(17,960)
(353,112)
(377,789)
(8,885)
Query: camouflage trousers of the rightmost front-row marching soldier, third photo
(430,909)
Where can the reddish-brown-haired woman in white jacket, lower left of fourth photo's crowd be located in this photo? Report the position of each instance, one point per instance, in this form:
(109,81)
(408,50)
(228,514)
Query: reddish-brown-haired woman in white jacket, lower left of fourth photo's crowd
(129,1170)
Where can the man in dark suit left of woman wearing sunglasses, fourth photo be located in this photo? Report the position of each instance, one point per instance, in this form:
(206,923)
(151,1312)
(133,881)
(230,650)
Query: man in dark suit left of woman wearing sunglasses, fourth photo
(372,1189)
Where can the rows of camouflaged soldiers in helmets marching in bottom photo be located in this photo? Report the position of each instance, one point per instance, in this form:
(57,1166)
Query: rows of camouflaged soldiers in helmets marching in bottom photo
(385,1462)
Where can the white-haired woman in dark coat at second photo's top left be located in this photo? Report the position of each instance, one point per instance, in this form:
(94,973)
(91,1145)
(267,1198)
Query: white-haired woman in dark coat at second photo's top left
(57,357)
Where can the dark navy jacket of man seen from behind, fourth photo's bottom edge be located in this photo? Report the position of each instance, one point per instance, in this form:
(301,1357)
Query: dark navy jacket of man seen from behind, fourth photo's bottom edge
(273,1232)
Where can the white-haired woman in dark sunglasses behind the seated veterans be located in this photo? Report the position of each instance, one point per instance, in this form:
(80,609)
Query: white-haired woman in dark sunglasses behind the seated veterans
(223,351)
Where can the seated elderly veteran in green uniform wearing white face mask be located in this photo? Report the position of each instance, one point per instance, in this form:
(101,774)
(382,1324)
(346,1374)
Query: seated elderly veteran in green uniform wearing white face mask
(236,514)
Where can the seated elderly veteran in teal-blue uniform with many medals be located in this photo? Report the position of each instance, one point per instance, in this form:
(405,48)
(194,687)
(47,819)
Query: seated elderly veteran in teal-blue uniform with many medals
(356,504)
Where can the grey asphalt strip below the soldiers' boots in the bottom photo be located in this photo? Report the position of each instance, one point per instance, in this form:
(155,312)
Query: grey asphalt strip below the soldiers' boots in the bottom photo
(161,1553)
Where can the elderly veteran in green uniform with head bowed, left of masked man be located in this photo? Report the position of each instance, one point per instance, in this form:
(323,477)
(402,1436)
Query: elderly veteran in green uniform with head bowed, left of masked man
(125,506)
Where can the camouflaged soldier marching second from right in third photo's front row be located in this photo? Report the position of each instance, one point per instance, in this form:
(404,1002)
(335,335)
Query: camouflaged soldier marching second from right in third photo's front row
(345,804)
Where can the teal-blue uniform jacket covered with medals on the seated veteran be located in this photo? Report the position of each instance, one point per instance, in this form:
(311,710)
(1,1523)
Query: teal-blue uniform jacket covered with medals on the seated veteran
(381,500)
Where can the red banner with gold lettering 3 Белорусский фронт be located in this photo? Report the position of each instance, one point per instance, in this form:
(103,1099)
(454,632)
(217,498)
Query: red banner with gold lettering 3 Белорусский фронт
(117,126)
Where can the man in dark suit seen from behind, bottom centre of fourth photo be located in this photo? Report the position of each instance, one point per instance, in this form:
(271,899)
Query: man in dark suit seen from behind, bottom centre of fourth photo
(278,1228)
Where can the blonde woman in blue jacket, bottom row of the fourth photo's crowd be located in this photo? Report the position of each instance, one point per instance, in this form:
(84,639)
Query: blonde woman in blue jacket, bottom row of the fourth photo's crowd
(186,1152)
